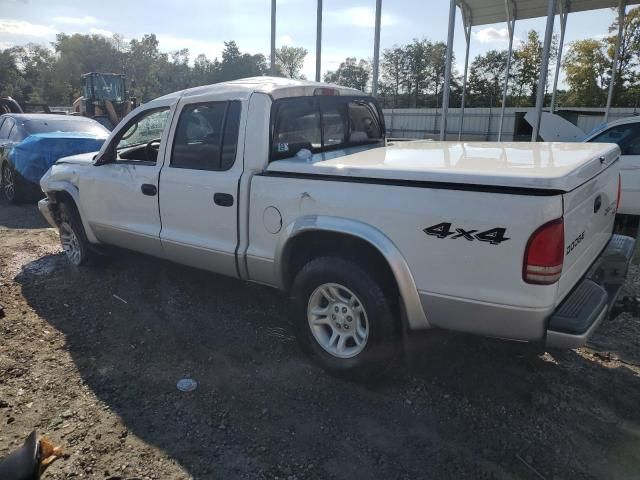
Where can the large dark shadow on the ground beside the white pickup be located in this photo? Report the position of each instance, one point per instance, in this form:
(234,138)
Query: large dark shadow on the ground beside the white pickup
(465,408)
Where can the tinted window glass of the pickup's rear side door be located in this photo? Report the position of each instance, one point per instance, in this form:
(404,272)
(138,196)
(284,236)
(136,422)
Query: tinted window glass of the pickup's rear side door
(207,136)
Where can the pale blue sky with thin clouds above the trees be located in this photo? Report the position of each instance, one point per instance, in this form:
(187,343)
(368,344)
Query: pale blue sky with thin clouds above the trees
(203,25)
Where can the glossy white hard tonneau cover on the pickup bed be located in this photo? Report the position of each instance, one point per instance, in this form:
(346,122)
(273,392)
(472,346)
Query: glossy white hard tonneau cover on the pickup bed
(552,166)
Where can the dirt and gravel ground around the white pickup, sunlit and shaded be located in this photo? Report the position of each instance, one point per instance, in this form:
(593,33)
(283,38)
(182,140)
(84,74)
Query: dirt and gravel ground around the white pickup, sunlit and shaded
(98,376)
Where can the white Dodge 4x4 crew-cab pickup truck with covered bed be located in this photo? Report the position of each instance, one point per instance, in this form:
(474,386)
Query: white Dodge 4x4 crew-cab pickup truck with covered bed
(292,184)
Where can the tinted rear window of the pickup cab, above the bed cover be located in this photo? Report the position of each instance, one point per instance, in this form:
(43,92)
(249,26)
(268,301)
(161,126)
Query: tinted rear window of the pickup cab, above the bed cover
(322,123)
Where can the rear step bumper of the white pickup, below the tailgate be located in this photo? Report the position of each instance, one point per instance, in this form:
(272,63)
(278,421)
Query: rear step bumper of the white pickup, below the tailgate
(590,302)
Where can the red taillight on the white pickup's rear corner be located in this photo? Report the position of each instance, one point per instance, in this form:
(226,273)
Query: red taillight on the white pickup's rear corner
(544,254)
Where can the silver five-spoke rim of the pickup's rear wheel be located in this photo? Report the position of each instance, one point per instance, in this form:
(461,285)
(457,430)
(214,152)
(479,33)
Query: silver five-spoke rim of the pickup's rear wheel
(338,320)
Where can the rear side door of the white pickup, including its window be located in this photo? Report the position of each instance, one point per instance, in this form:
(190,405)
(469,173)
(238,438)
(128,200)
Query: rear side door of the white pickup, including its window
(199,187)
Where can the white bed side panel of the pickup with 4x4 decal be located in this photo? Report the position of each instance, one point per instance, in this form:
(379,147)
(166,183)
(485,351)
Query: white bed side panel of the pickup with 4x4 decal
(454,267)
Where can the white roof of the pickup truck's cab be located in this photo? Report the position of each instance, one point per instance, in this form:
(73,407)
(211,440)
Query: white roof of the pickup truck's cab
(276,87)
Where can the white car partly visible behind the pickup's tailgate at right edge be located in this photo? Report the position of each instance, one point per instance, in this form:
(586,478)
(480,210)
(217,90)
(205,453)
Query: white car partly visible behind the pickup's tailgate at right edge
(626,134)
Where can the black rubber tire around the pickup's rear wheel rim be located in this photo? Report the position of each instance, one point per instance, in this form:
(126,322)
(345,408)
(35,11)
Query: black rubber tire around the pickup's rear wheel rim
(381,346)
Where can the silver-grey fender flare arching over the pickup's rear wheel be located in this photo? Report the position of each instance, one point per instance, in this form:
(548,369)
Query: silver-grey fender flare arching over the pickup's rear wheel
(376,238)
